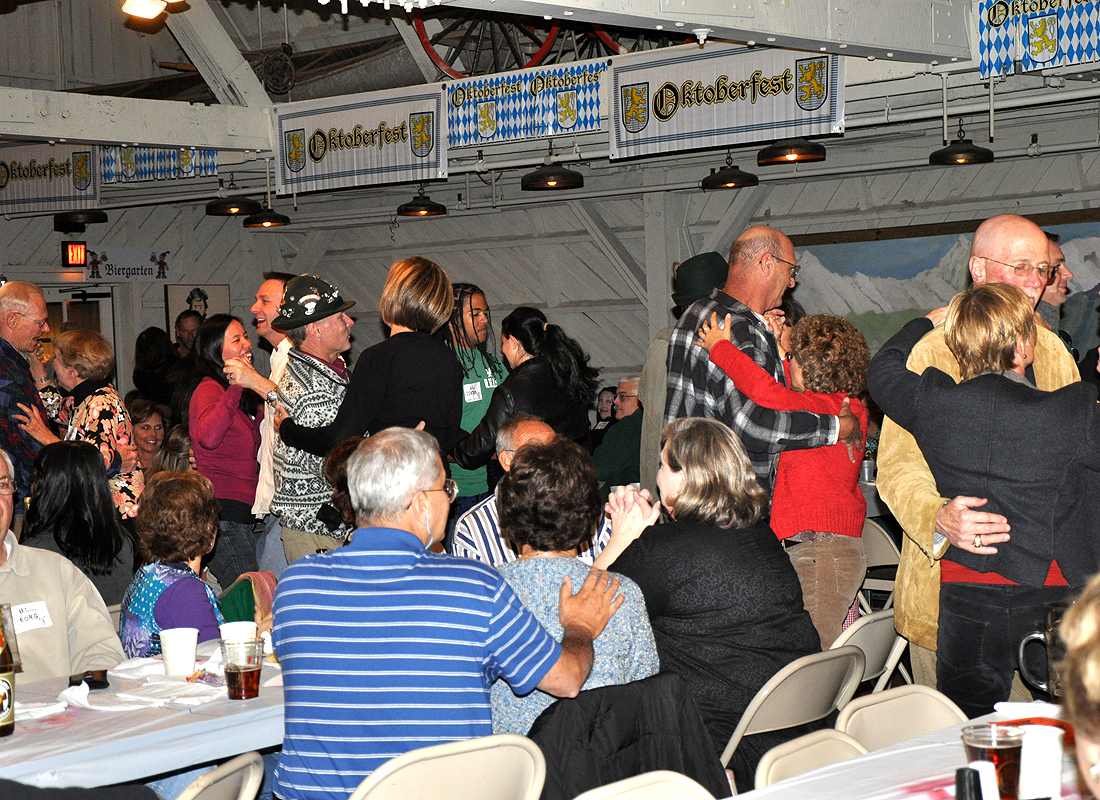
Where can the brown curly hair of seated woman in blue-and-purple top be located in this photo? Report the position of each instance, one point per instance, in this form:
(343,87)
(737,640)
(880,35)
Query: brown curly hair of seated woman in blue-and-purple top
(178,519)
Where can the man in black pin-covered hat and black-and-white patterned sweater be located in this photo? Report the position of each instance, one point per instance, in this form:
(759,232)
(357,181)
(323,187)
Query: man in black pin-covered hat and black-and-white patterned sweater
(313,316)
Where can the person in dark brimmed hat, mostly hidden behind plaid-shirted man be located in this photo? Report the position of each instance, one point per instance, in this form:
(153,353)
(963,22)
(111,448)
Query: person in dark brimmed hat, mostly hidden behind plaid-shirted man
(694,280)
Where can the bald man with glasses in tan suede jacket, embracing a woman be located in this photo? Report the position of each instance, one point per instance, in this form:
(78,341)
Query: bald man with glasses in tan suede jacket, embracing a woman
(1007,249)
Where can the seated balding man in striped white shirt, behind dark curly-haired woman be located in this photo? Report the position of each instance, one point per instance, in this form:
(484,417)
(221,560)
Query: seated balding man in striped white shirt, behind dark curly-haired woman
(478,532)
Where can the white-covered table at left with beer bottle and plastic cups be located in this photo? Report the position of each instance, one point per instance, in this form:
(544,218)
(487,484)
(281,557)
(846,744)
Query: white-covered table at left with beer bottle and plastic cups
(89,749)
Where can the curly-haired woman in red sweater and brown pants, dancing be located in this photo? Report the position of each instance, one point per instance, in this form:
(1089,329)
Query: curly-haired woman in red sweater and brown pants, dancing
(817,510)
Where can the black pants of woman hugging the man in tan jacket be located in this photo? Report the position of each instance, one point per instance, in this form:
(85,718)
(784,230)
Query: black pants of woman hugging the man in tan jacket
(981,629)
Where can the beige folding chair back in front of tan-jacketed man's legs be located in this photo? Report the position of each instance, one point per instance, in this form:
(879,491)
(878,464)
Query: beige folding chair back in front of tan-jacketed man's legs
(884,719)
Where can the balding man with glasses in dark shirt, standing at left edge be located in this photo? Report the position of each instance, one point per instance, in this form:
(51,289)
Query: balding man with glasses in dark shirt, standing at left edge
(24,323)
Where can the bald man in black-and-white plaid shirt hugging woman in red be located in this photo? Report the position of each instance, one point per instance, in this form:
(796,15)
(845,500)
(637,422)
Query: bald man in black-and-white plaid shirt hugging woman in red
(762,268)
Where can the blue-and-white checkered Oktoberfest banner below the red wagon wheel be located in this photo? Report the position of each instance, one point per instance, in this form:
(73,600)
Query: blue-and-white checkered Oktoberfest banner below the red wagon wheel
(530,104)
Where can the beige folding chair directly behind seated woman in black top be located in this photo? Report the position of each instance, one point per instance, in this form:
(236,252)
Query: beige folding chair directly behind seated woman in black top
(806,691)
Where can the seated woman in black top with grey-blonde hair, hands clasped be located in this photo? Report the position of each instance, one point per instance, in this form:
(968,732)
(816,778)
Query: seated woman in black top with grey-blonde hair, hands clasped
(723,598)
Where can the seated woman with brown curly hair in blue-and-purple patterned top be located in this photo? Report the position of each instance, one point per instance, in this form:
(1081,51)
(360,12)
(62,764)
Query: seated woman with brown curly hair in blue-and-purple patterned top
(178,523)
